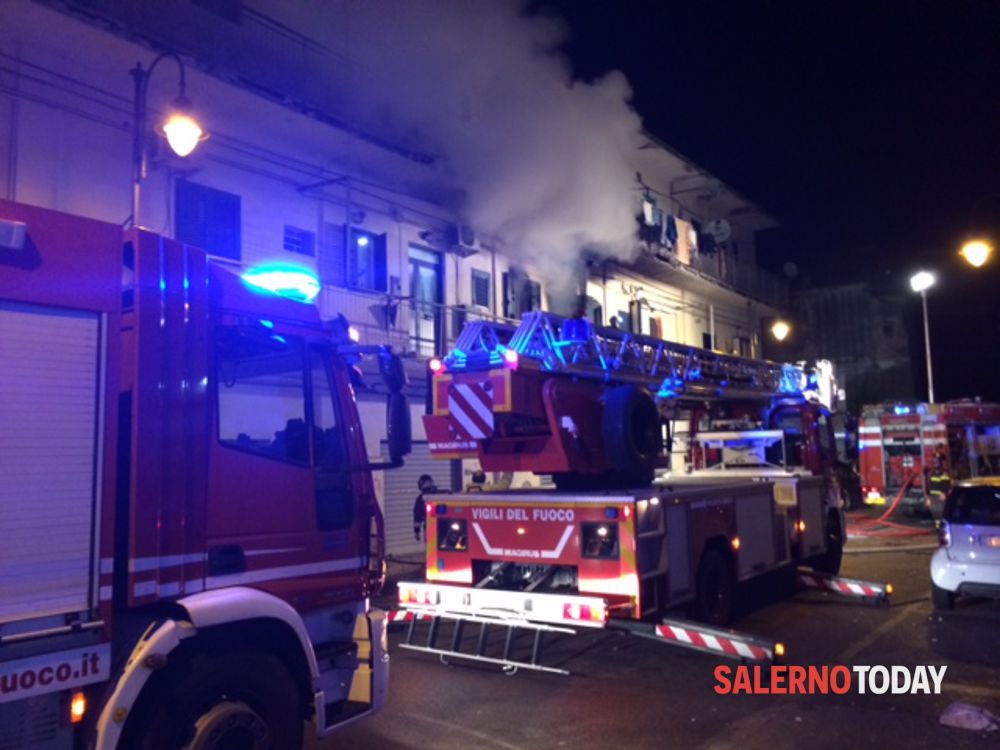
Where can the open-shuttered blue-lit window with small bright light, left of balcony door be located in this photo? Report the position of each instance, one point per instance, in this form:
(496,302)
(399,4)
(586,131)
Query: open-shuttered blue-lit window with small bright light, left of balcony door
(353,258)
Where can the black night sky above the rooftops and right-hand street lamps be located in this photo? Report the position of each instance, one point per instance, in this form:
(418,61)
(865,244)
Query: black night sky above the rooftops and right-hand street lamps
(869,129)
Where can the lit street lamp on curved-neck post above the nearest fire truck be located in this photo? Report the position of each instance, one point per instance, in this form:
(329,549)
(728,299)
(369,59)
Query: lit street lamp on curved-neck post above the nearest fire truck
(181,130)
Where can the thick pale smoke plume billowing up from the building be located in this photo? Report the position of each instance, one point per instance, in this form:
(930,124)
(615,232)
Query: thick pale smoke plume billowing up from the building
(545,163)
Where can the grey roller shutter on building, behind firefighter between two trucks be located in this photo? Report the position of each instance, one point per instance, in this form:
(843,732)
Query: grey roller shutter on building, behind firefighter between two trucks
(400,490)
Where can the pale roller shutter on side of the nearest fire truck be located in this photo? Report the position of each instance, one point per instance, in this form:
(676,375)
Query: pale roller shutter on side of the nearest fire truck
(49,411)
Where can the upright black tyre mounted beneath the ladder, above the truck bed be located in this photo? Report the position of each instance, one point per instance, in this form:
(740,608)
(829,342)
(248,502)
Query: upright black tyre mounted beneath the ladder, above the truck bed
(631,432)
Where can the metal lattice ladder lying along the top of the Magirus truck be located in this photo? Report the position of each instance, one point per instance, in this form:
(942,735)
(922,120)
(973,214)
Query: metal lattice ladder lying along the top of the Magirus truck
(576,347)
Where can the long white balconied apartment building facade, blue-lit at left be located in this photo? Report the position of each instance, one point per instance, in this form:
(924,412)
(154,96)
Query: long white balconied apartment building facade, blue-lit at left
(283,178)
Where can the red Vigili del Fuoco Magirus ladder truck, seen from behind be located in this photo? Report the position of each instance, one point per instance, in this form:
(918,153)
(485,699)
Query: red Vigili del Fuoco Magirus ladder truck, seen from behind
(599,409)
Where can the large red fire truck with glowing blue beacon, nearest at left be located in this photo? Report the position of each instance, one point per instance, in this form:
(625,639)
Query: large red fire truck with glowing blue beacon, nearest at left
(190,532)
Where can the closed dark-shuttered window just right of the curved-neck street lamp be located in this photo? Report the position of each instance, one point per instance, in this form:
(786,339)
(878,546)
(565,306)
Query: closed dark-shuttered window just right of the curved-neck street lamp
(207,218)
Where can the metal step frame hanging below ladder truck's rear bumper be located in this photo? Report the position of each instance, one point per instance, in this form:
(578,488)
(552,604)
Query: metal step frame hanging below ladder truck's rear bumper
(500,640)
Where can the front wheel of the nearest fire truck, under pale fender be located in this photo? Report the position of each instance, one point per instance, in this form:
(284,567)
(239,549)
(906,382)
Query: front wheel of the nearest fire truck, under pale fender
(239,699)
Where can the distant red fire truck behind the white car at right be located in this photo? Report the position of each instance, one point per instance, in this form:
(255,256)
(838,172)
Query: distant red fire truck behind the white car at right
(903,440)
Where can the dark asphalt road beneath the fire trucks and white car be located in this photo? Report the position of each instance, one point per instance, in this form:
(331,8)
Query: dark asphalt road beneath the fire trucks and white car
(634,693)
